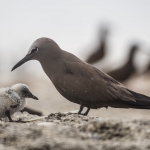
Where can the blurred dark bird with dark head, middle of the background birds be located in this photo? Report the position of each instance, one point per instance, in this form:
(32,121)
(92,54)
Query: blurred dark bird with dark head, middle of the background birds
(128,69)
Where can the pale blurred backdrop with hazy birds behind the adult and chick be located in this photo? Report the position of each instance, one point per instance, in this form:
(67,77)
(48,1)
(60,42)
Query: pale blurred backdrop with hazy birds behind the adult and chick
(113,36)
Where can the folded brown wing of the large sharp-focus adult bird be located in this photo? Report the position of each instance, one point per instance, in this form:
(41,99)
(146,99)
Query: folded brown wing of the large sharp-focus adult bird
(81,80)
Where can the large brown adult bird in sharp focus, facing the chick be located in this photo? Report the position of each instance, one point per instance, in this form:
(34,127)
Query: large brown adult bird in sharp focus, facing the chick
(80,82)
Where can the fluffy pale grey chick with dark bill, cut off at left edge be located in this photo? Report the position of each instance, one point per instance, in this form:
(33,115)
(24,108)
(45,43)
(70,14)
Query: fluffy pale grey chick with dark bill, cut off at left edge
(13,99)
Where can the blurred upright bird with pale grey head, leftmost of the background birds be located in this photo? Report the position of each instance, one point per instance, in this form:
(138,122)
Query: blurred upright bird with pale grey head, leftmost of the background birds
(100,52)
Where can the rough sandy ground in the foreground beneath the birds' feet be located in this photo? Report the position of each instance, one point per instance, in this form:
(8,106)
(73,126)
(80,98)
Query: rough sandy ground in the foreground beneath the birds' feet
(61,131)
